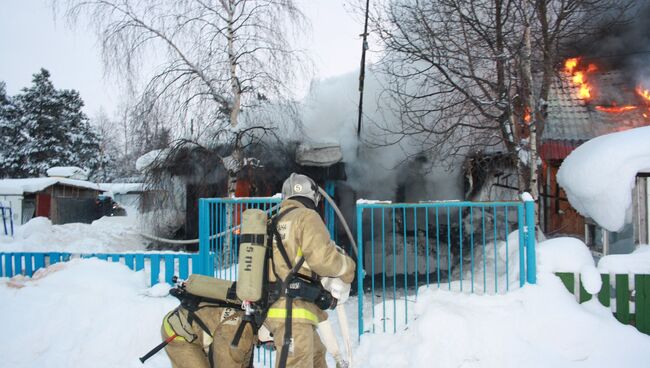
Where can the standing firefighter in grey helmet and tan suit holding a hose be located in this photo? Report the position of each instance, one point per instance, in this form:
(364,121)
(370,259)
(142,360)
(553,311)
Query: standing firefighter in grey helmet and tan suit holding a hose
(304,259)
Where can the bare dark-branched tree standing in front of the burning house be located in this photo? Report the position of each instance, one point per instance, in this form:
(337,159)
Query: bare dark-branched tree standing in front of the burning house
(471,75)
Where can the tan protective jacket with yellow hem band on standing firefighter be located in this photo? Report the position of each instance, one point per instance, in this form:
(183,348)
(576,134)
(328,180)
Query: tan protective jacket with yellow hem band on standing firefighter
(304,234)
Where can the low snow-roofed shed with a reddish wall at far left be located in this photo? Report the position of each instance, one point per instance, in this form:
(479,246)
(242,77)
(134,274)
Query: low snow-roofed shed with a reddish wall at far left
(62,200)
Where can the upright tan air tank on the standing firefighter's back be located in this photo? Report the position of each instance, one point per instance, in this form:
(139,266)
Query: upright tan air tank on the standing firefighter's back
(252,255)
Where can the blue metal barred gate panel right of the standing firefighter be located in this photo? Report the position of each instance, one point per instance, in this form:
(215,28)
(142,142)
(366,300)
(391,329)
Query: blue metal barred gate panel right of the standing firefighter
(460,246)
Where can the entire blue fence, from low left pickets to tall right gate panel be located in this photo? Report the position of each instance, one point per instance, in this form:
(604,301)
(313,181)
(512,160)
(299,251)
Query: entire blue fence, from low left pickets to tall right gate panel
(402,247)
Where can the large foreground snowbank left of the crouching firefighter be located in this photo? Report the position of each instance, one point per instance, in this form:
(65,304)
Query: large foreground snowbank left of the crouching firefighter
(85,313)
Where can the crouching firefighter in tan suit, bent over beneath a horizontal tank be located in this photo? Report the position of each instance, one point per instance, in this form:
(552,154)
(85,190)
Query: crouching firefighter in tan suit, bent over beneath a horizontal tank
(203,338)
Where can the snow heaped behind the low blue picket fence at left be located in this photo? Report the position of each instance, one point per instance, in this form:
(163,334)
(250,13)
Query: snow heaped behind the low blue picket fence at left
(107,234)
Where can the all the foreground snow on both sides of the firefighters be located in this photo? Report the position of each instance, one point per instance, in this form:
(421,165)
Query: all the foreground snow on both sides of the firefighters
(88,312)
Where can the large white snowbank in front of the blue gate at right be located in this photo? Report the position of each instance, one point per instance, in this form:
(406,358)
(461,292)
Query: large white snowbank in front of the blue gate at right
(536,326)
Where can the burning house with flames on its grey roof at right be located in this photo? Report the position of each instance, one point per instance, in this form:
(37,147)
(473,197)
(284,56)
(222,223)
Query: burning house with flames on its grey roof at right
(585,102)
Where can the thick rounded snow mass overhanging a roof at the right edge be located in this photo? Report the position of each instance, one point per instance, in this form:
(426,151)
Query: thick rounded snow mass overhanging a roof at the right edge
(598,176)
